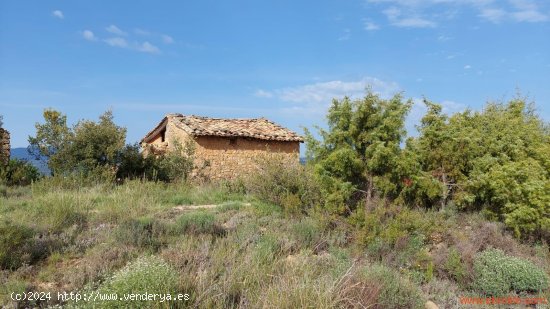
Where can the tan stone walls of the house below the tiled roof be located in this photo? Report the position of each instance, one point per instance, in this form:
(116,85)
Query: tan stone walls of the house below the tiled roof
(222,157)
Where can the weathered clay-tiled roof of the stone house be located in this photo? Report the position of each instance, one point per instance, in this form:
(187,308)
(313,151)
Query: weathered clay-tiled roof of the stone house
(259,128)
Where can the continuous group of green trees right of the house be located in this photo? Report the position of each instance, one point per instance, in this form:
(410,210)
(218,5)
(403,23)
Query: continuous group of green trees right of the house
(496,160)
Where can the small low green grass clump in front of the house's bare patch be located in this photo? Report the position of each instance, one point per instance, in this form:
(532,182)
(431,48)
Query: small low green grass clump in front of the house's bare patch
(199,222)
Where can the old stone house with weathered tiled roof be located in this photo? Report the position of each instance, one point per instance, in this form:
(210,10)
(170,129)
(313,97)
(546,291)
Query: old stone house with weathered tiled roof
(224,148)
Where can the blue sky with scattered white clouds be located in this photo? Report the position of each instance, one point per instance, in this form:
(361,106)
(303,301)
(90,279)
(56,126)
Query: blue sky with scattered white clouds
(284,60)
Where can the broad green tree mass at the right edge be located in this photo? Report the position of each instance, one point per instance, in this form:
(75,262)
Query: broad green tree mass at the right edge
(496,160)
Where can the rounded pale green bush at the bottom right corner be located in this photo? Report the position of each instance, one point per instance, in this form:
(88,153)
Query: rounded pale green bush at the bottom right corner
(497,274)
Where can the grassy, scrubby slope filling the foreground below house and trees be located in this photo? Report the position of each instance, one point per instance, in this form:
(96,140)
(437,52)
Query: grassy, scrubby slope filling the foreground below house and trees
(238,251)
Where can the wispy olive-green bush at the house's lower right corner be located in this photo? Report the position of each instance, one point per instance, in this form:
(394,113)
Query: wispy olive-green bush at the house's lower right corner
(285,183)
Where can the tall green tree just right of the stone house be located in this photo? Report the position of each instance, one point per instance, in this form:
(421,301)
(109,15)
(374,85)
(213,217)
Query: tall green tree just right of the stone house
(360,153)
